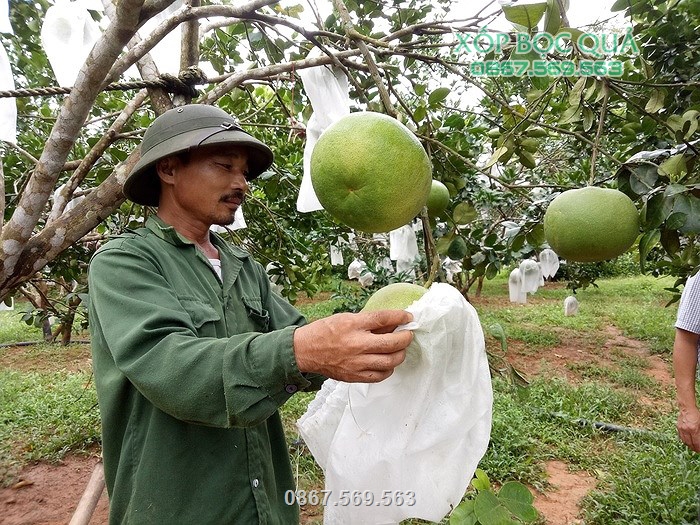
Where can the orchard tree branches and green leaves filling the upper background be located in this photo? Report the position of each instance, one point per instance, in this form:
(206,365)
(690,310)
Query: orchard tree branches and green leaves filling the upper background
(503,158)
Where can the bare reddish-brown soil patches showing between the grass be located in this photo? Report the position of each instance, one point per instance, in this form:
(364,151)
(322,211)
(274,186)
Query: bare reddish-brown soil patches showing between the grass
(47,494)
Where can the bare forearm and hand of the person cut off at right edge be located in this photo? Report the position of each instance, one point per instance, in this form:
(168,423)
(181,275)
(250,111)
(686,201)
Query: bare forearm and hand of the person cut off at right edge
(685,356)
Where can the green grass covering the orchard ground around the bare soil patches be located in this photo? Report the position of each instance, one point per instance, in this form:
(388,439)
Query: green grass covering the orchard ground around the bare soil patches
(644,476)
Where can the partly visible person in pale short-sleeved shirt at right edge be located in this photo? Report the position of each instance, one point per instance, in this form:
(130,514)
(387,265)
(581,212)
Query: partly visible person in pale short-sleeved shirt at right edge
(685,359)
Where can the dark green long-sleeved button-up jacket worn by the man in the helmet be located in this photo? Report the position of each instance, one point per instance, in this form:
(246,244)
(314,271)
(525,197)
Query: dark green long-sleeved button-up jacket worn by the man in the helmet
(190,373)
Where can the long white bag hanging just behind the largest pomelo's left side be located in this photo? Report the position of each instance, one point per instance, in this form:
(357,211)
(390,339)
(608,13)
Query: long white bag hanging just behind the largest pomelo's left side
(329,93)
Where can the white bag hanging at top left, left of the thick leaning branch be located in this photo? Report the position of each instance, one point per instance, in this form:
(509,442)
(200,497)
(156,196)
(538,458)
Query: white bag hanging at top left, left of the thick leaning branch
(68,34)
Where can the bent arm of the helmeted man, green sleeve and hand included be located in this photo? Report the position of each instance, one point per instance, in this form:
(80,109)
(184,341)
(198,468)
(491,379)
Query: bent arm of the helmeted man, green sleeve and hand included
(233,381)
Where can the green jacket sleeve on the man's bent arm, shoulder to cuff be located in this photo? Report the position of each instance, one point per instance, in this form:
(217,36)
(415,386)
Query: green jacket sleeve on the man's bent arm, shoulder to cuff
(146,338)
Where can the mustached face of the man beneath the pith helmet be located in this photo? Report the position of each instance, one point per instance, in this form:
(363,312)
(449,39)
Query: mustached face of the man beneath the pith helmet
(208,187)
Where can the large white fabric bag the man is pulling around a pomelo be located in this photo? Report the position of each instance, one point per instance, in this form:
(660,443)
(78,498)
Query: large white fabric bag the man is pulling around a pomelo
(407,447)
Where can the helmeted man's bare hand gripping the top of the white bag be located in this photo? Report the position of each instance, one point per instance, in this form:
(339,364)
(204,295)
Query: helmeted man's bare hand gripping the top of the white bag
(359,348)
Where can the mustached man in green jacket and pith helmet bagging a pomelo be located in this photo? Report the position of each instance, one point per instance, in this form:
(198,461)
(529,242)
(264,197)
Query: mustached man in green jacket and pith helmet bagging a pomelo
(193,353)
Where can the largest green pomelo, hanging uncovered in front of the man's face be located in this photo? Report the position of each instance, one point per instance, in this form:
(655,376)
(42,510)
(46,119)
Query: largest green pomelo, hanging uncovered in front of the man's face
(370,172)
